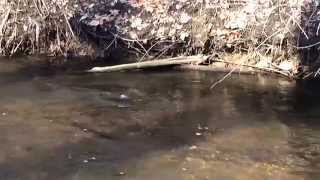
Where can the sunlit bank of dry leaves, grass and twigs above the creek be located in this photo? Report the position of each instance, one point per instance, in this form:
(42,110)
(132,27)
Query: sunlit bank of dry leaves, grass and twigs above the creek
(271,32)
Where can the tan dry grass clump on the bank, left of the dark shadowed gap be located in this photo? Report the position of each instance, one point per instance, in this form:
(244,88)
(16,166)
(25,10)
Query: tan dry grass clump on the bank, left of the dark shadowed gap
(35,27)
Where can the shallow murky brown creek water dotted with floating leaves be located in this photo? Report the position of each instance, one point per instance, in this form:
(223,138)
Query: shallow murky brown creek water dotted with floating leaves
(156,125)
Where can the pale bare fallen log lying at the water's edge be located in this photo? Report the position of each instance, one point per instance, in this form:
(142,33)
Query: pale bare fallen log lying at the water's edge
(151,64)
